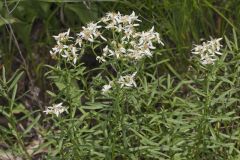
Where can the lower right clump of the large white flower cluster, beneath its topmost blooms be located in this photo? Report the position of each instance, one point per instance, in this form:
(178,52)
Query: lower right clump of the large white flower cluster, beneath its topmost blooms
(137,46)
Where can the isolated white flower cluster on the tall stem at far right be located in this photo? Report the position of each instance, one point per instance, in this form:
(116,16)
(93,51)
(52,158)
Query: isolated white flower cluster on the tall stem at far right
(208,51)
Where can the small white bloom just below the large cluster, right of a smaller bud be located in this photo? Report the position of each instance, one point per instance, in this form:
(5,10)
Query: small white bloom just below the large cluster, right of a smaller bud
(127,81)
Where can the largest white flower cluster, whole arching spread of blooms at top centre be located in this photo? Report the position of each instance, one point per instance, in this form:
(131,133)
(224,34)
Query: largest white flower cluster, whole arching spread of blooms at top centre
(126,42)
